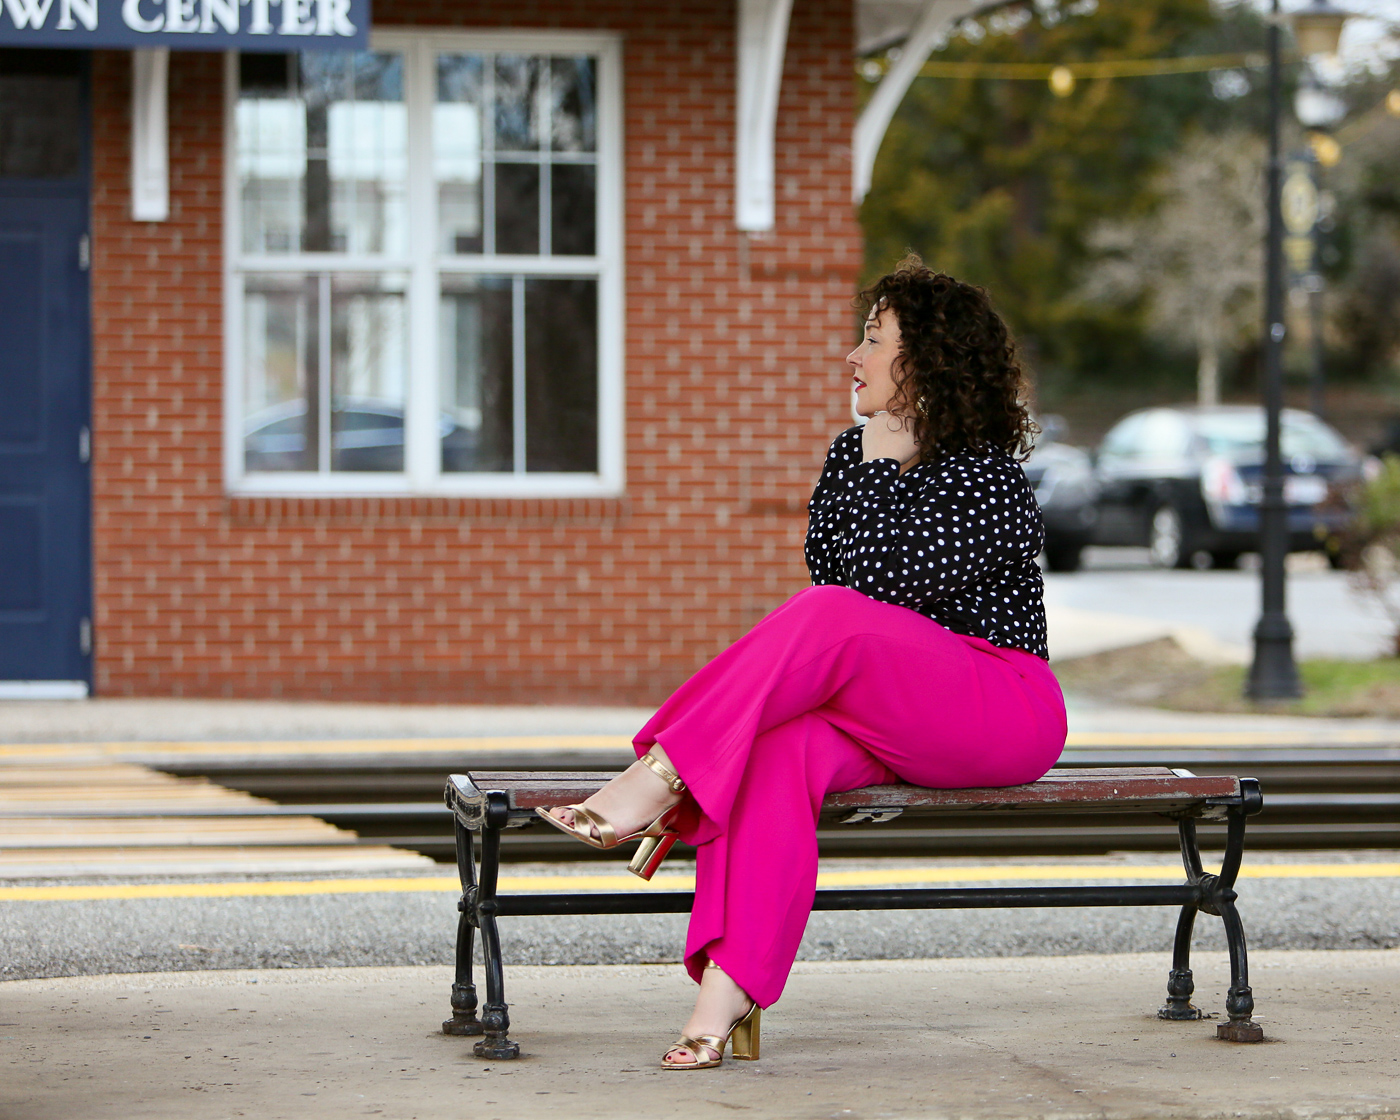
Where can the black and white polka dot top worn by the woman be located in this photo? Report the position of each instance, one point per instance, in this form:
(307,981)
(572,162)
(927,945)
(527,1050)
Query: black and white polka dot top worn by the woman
(954,540)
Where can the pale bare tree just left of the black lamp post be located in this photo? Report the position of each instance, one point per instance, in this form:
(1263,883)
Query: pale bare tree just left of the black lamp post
(1198,258)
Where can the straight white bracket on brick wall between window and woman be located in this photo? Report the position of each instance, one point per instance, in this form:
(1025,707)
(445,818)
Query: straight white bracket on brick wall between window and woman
(762,43)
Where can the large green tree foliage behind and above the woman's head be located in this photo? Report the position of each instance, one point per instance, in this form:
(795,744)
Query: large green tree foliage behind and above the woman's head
(1000,183)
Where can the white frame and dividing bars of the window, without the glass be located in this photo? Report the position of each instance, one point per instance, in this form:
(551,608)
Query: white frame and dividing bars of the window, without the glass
(425,265)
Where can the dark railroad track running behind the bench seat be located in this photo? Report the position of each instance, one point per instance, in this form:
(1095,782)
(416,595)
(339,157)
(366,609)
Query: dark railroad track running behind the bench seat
(1322,796)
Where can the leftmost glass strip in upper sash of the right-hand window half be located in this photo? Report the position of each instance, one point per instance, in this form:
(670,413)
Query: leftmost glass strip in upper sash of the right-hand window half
(457,152)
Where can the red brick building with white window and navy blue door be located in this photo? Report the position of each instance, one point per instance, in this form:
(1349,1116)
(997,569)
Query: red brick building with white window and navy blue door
(457,367)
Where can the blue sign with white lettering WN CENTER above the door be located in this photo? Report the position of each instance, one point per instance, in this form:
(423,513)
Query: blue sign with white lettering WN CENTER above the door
(188,24)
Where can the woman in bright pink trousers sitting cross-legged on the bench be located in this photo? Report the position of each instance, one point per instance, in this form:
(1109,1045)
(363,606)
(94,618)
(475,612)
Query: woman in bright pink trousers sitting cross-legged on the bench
(918,656)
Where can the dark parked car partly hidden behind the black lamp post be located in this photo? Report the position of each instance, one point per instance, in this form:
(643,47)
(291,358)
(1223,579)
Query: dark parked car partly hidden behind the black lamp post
(1186,482)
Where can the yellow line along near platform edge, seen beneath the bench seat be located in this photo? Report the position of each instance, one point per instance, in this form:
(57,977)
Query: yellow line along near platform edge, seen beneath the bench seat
(530,884)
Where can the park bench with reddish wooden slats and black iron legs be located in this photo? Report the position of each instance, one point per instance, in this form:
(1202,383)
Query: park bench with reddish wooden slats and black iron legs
(488,803)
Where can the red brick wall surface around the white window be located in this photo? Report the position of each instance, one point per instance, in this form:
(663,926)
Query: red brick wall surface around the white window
(734,386)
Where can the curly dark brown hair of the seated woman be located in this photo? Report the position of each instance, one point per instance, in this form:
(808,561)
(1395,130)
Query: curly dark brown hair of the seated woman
(957,372)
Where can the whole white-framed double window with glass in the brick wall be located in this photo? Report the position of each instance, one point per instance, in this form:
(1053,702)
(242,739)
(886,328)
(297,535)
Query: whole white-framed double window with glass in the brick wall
(425,289)
